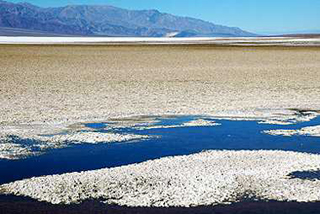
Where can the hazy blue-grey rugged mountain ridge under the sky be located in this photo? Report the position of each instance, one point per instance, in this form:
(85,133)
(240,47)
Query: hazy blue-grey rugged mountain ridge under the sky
(107,20)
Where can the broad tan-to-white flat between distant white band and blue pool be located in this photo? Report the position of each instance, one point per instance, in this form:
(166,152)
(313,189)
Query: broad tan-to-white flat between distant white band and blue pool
(71,83)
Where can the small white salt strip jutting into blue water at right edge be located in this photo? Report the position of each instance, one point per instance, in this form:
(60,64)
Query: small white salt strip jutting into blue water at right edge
(306,131)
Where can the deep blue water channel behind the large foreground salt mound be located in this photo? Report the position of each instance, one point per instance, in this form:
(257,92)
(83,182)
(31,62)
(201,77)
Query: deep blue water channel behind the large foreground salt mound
(231,135)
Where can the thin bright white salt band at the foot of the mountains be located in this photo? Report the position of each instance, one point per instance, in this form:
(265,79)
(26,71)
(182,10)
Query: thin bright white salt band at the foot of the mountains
(162,40)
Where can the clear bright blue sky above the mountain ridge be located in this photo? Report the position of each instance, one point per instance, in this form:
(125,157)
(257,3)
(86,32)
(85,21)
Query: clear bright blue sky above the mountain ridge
(260,16)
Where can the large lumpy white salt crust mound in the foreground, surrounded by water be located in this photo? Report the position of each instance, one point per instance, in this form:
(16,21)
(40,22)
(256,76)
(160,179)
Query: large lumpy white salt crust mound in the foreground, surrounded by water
(207,178)
